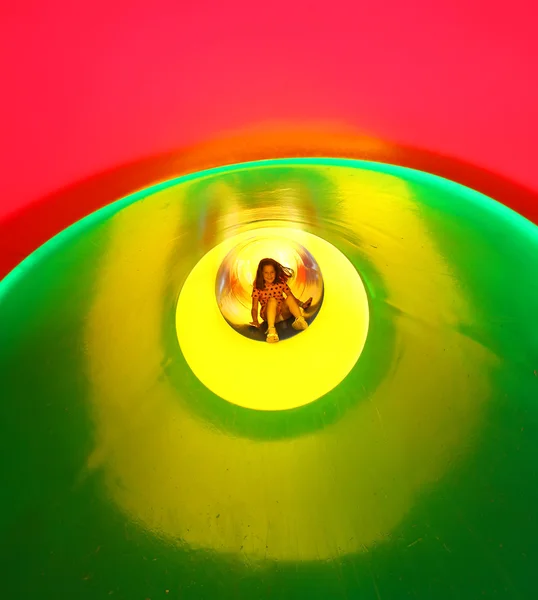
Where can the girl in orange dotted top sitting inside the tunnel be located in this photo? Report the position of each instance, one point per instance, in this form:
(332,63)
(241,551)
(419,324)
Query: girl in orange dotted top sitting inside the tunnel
(269,289)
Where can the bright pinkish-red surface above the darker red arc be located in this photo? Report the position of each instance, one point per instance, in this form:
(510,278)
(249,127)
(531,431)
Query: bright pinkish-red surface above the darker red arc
(91,86)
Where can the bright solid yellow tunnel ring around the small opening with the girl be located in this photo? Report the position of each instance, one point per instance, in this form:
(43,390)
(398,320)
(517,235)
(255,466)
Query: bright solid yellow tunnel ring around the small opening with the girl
(232,366)
